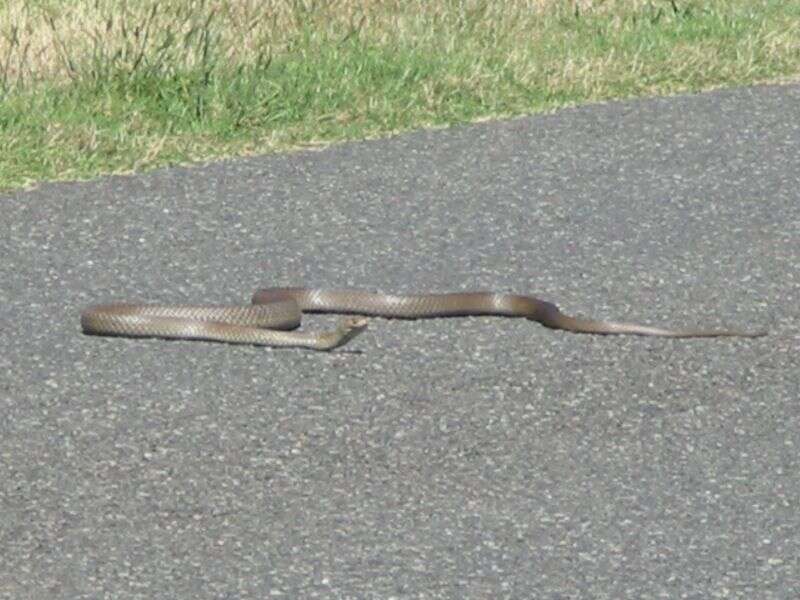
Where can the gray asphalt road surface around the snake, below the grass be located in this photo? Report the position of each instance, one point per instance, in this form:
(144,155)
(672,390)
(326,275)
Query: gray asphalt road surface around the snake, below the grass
(460,458)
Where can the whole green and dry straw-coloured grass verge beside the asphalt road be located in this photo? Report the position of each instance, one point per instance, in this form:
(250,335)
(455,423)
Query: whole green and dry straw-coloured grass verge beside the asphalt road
(101,86)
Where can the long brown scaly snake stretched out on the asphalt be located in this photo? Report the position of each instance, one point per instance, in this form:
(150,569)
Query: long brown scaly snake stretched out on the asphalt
(275,312)
